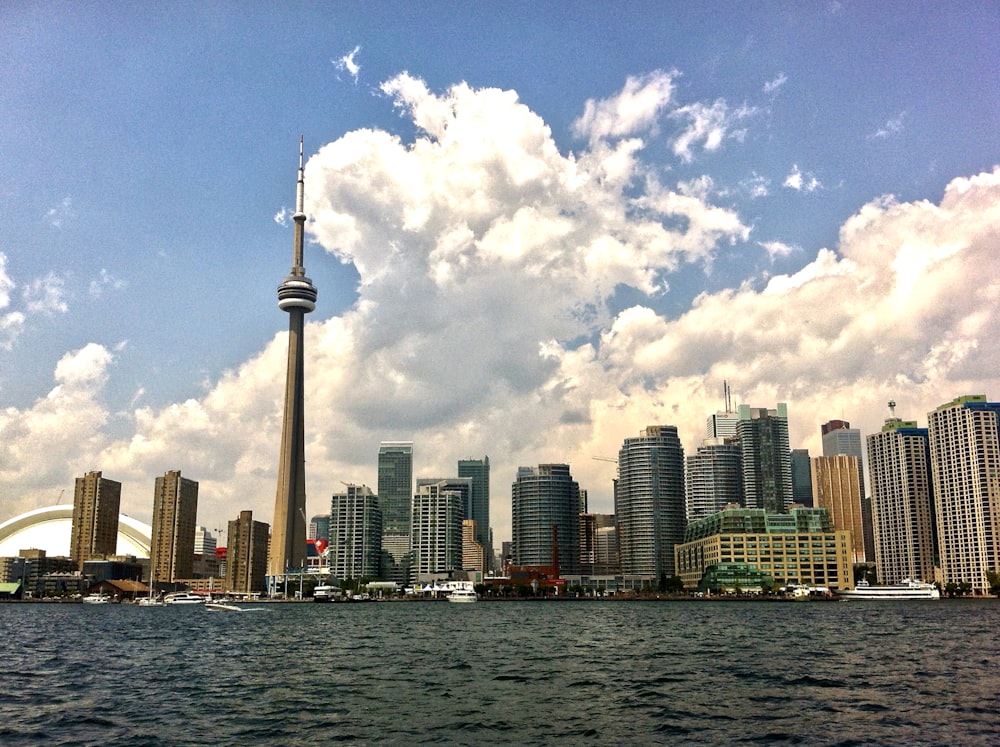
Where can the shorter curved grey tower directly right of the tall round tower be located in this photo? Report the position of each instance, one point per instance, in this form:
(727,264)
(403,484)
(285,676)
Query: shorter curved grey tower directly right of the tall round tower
(714,477)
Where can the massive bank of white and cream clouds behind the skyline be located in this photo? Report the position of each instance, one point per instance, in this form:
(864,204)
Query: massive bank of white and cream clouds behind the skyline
(487,322)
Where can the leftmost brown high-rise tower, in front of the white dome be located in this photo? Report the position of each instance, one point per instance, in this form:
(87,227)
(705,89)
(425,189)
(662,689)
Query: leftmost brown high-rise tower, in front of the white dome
(96,501)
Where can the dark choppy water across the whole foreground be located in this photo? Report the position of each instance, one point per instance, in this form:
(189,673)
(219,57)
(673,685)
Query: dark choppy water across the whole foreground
(674,673)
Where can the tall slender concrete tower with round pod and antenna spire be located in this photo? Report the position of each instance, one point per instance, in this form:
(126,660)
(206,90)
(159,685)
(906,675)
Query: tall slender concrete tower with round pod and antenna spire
(297,296)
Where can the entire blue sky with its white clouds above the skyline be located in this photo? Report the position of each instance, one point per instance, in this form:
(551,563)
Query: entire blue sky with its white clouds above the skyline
(536,228)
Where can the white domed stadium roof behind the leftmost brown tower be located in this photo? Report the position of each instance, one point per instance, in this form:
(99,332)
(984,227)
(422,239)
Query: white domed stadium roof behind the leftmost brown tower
(50,528)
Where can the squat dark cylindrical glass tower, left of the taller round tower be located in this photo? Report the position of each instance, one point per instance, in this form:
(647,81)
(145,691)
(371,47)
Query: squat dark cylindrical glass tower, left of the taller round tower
(545,503)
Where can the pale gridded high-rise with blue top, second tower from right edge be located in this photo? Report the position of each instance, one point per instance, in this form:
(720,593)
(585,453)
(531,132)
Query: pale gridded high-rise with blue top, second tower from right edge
(899,472)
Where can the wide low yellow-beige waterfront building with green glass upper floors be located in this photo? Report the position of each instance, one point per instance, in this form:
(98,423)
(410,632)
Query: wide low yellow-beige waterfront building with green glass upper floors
(798,547)
